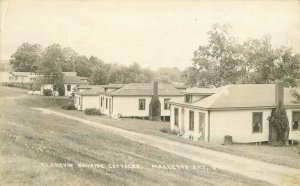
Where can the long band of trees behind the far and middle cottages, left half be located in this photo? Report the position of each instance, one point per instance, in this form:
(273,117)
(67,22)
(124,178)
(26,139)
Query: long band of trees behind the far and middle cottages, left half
(34,58)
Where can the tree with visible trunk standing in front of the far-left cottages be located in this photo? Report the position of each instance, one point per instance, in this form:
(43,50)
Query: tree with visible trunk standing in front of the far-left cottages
(51,67)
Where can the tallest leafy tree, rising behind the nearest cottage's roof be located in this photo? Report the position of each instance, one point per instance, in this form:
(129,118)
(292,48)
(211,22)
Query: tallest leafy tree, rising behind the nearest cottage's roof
(217,63)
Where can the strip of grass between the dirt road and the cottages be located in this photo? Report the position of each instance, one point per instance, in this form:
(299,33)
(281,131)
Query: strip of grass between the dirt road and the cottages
(287,155)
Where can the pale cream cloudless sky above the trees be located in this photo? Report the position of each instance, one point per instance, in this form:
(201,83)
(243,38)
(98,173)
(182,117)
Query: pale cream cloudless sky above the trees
(153,33)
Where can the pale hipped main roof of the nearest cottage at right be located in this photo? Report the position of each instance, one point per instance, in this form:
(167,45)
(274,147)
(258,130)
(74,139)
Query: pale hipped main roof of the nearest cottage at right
(242,96)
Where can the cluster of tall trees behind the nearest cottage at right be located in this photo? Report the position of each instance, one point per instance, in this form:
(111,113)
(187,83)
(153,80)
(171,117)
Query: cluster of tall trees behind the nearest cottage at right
(224,61)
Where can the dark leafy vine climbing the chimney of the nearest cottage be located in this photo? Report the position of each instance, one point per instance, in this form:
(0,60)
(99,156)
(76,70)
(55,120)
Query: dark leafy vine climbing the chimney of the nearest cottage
(279,121)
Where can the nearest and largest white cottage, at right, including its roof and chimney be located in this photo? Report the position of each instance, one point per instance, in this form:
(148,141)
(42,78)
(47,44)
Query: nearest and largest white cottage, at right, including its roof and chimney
(240,111)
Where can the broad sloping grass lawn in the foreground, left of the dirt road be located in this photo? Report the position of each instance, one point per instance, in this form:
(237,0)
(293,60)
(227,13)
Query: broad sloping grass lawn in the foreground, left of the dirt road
(30,141)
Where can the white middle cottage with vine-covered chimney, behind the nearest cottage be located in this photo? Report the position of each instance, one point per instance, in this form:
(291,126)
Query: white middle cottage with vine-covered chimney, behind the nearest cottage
(133,100)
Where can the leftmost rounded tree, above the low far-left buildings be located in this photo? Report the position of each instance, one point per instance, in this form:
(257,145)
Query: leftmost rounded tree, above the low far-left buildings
(26,58)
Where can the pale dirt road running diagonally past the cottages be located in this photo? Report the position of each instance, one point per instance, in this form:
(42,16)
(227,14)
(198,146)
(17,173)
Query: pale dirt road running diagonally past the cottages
(271,173)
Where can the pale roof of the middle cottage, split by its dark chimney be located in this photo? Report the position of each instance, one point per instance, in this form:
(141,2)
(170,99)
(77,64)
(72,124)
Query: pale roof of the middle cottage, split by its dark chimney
(146,89)
